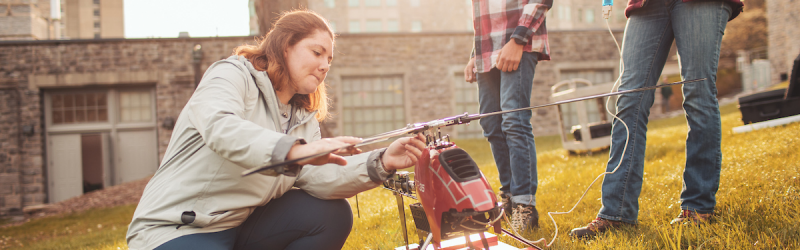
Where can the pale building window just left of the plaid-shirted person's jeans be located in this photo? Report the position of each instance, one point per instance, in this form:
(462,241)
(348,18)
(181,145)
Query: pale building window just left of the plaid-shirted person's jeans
(466,95)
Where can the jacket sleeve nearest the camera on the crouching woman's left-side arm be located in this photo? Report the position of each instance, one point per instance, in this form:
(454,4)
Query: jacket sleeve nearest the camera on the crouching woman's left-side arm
(217,110)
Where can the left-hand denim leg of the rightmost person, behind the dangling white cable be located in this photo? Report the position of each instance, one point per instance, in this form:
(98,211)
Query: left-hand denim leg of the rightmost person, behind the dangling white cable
(648,37)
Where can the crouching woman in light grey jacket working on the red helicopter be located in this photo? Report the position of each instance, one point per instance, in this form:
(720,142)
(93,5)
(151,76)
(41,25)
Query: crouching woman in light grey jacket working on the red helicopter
(261,106)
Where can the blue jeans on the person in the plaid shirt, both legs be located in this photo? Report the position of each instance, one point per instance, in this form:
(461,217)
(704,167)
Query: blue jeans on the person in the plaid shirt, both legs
(511,135)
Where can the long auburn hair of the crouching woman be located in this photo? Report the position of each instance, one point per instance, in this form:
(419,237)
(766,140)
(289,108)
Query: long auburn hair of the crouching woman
(268,55)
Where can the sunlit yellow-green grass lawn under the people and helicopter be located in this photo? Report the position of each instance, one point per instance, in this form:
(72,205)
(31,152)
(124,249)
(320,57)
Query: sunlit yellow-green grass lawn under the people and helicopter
(758,203)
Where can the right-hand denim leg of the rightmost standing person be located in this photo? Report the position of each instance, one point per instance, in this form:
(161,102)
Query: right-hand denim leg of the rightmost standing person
(698,33)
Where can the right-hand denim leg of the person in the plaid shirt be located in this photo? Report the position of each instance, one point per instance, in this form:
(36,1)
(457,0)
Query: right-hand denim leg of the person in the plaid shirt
(515,92)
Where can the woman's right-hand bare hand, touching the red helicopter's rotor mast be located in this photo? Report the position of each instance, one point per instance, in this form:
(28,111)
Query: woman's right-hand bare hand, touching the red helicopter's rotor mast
(403,152)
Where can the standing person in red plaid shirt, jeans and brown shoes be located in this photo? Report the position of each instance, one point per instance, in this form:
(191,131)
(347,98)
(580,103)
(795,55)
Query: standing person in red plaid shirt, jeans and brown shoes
(510,39)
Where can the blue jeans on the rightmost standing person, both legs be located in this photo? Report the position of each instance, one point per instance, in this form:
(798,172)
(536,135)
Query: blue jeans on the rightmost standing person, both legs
(697,29)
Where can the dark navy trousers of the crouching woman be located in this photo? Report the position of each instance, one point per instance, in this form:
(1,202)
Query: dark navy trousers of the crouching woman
(297,220)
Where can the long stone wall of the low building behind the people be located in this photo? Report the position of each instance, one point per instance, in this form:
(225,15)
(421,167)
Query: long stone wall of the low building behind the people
(428,61)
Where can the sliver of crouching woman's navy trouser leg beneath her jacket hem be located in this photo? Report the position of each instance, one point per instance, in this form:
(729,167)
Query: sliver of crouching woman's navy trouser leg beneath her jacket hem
(223,240)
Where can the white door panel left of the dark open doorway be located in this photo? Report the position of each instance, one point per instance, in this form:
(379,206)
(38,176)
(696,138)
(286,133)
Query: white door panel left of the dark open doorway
(65,173)
